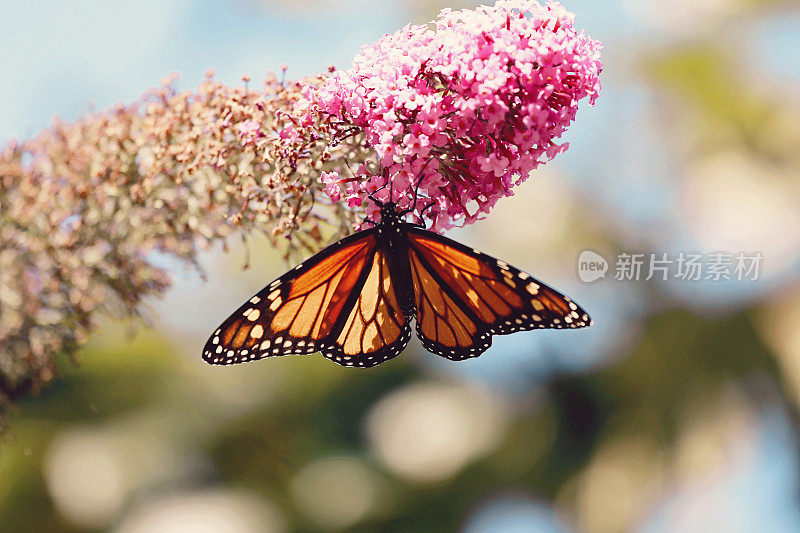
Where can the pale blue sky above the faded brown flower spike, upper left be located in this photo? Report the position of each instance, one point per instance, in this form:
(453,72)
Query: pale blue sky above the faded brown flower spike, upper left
(58,58)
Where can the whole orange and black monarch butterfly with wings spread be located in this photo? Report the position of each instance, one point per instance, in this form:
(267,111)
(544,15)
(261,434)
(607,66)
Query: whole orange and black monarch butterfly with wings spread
(354,301)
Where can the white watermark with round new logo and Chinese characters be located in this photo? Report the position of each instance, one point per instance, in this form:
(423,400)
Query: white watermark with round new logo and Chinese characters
(684,266)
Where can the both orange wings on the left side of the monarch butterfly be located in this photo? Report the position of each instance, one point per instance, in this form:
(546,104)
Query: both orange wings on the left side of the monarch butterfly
(340,302)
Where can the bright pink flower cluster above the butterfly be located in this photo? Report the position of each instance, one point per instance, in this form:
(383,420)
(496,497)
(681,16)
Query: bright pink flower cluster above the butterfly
(464,111)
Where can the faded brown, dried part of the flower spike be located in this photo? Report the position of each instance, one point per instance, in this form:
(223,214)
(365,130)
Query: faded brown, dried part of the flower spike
(87,208)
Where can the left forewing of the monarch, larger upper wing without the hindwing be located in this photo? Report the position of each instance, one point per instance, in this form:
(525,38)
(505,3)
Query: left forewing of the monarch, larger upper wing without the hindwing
(298,312)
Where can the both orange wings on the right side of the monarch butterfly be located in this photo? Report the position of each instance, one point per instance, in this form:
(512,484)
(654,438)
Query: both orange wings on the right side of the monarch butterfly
(464,297)
